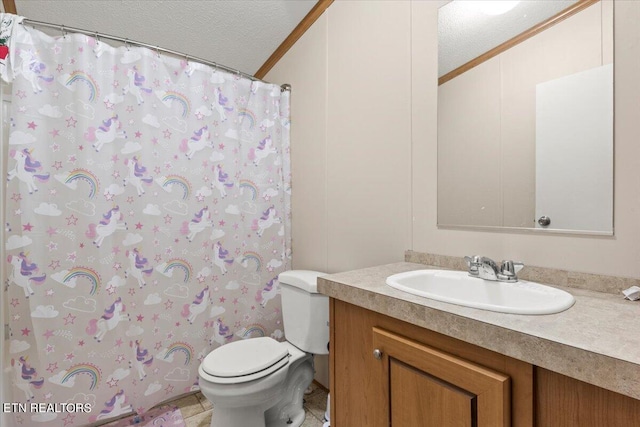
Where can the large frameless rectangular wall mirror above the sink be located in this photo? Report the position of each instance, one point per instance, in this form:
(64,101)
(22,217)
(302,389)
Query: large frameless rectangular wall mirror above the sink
(525,116)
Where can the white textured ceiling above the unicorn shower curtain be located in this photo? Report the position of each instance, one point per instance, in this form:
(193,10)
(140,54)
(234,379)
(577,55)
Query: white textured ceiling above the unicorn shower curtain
(240,34)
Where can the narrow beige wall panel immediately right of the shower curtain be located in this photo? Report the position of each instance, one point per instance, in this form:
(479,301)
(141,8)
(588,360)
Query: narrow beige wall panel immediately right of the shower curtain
(305,69)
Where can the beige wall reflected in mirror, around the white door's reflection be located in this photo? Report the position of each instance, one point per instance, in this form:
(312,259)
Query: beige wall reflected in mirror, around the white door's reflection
(487,127)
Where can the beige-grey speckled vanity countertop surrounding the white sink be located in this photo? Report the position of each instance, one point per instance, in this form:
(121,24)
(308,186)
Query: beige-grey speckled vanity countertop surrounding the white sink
(596,341)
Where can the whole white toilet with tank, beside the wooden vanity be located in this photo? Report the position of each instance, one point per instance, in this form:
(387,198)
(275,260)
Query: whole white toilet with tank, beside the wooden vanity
(260,382)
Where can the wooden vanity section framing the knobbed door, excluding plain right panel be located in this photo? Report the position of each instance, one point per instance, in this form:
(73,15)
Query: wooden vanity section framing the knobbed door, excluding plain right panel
(388,372)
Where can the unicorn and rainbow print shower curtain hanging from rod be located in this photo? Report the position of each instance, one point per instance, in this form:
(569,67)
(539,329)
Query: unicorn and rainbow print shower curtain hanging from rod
(147,210)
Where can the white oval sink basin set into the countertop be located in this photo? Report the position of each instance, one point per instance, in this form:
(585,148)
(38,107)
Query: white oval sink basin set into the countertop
(457,287)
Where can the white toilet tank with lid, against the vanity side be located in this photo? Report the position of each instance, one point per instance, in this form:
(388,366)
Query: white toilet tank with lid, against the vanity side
(305,312)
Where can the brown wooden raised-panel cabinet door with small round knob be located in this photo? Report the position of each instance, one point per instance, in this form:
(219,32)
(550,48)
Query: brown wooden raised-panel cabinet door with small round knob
(425,387)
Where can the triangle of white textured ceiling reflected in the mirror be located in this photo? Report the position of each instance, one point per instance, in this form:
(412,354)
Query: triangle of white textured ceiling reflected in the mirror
(464,32)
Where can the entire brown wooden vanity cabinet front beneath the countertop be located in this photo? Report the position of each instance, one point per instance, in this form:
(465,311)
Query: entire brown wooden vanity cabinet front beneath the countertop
(422,378)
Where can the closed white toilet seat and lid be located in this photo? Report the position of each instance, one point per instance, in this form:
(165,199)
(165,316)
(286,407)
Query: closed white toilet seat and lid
(243,361)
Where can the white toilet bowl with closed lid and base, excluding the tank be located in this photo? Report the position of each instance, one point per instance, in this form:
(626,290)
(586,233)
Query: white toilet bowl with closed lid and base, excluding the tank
(265,392)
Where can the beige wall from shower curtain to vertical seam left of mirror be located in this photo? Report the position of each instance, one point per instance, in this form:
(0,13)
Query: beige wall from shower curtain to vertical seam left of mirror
(351,136)
